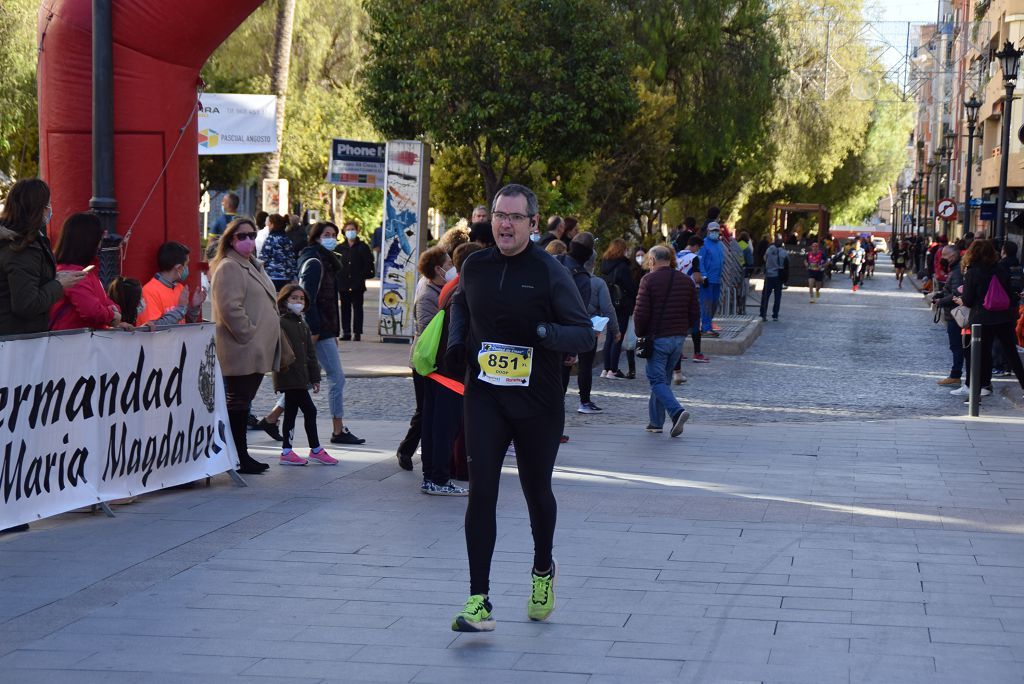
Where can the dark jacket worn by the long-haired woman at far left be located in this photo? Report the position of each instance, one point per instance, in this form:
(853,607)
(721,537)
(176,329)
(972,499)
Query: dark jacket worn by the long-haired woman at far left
(28,285)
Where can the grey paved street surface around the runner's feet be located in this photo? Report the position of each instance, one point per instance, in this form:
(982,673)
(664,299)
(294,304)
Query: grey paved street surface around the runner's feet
(778,547)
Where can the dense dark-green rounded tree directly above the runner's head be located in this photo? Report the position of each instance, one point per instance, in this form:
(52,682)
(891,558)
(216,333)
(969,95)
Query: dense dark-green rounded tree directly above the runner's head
(517,82)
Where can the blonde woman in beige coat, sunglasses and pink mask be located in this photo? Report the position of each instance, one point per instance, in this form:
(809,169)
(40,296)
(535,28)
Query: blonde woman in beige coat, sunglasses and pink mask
(248,333)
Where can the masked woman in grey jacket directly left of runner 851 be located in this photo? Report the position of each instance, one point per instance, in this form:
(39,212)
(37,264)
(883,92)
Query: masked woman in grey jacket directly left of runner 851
(436,270)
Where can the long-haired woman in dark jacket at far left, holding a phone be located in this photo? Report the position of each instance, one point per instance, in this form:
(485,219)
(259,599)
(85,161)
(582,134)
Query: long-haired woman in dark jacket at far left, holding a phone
(30,284)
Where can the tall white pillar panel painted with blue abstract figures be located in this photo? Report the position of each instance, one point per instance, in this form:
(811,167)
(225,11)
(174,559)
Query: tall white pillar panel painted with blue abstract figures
(406,195)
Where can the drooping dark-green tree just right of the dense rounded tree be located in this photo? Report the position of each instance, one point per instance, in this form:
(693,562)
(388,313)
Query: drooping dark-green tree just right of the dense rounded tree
(720,60)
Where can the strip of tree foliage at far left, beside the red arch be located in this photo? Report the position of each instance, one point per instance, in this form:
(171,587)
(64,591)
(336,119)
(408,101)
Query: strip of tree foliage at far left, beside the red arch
(20,121)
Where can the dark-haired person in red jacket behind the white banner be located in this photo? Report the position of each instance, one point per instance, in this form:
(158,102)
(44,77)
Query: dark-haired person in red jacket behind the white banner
(88,305)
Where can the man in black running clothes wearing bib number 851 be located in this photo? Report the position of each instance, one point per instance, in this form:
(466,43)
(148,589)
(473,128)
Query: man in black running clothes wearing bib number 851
(516,318)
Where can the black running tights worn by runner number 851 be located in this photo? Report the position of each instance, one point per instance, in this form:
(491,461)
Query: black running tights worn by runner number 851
(489,432)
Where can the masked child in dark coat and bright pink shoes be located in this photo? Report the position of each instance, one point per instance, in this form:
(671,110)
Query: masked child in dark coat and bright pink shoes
(294,379)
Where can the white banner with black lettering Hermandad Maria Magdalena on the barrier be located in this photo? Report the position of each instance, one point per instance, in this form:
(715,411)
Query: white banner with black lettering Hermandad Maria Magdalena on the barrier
(97,416)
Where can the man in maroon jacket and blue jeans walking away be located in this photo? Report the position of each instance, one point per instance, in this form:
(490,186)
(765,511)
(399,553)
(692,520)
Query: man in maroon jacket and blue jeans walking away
(667,306)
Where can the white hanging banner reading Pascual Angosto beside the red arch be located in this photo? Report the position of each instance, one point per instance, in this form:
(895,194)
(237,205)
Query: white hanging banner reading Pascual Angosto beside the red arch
(232,124)
